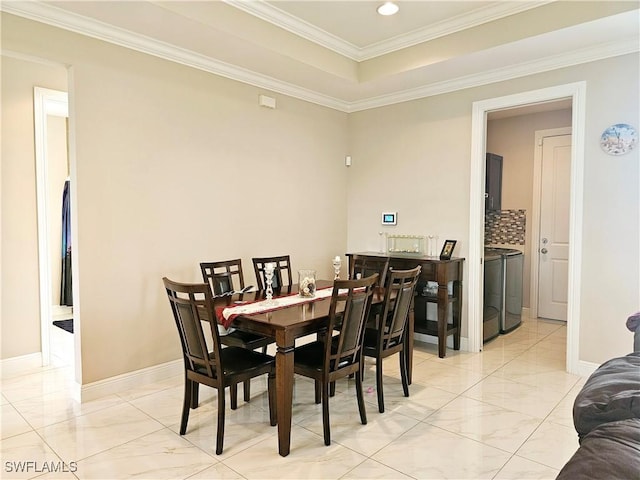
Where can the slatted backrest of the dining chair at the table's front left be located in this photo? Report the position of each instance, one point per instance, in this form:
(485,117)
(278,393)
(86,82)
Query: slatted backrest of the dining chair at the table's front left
(188,302)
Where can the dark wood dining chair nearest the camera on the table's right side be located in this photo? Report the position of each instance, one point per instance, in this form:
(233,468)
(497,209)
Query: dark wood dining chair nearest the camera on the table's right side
(338,353)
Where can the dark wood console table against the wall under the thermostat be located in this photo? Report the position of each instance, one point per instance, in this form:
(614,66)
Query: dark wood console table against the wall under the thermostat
(433,270)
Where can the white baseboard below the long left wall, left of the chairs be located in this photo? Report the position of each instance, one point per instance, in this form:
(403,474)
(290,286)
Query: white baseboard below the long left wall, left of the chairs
(126,381)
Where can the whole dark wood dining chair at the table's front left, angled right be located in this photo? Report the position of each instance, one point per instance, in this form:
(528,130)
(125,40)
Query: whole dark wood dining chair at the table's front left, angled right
(206,362)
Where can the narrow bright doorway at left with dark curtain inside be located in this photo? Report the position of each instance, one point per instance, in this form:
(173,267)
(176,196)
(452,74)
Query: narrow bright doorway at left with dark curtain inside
(51,115)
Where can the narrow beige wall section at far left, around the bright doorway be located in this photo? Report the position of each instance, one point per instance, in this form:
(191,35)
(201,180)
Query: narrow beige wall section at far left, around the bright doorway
(20,297)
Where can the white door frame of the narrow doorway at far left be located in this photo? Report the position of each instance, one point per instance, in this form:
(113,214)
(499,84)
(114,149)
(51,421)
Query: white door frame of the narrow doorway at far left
(55,103)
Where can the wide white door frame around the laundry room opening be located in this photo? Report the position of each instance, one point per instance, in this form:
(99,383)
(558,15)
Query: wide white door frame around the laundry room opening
(577,93)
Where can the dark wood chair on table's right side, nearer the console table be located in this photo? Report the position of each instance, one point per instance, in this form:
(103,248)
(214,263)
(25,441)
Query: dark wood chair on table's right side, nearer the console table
(389,336)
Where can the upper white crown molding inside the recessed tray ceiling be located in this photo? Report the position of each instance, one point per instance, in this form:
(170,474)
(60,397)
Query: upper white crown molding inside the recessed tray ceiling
(303,29)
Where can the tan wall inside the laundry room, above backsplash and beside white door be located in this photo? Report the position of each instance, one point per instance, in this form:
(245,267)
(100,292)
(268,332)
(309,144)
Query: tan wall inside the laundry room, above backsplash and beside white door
(514,139)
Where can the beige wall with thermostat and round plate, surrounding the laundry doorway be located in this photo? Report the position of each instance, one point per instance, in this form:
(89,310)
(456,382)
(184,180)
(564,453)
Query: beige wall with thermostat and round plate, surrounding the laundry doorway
(414,157)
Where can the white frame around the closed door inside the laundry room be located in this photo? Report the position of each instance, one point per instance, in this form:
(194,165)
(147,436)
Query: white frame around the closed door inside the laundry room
(535,211)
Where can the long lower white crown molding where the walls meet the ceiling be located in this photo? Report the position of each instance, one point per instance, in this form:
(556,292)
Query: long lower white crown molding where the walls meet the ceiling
(79,24)
